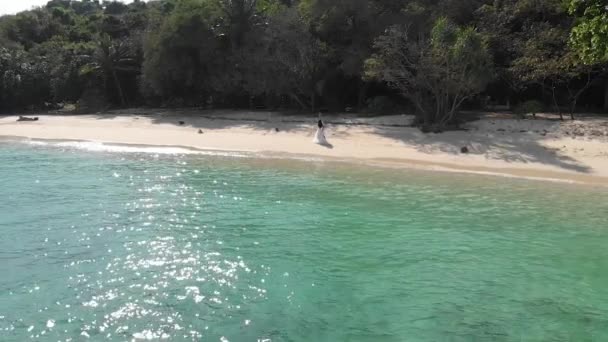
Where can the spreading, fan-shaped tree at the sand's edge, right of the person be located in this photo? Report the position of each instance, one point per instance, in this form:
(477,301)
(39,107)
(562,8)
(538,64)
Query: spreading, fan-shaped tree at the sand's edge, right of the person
(438,74)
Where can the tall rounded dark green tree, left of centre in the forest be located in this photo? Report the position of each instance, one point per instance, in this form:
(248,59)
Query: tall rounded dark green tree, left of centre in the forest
(181,54)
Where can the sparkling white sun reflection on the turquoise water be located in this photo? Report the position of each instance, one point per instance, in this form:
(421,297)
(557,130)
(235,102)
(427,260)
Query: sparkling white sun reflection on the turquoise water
(168,261)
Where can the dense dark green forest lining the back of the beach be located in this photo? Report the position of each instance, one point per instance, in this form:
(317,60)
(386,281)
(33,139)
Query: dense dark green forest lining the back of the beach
(431,57)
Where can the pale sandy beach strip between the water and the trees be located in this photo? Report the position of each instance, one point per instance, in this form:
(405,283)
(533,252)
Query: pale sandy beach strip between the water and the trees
(569,151)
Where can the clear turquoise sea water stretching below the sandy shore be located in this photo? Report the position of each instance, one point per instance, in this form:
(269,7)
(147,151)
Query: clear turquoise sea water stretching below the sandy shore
(122,246)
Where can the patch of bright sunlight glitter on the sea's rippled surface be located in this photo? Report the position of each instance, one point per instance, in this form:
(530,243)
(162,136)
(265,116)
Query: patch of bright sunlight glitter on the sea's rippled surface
(159,263)
